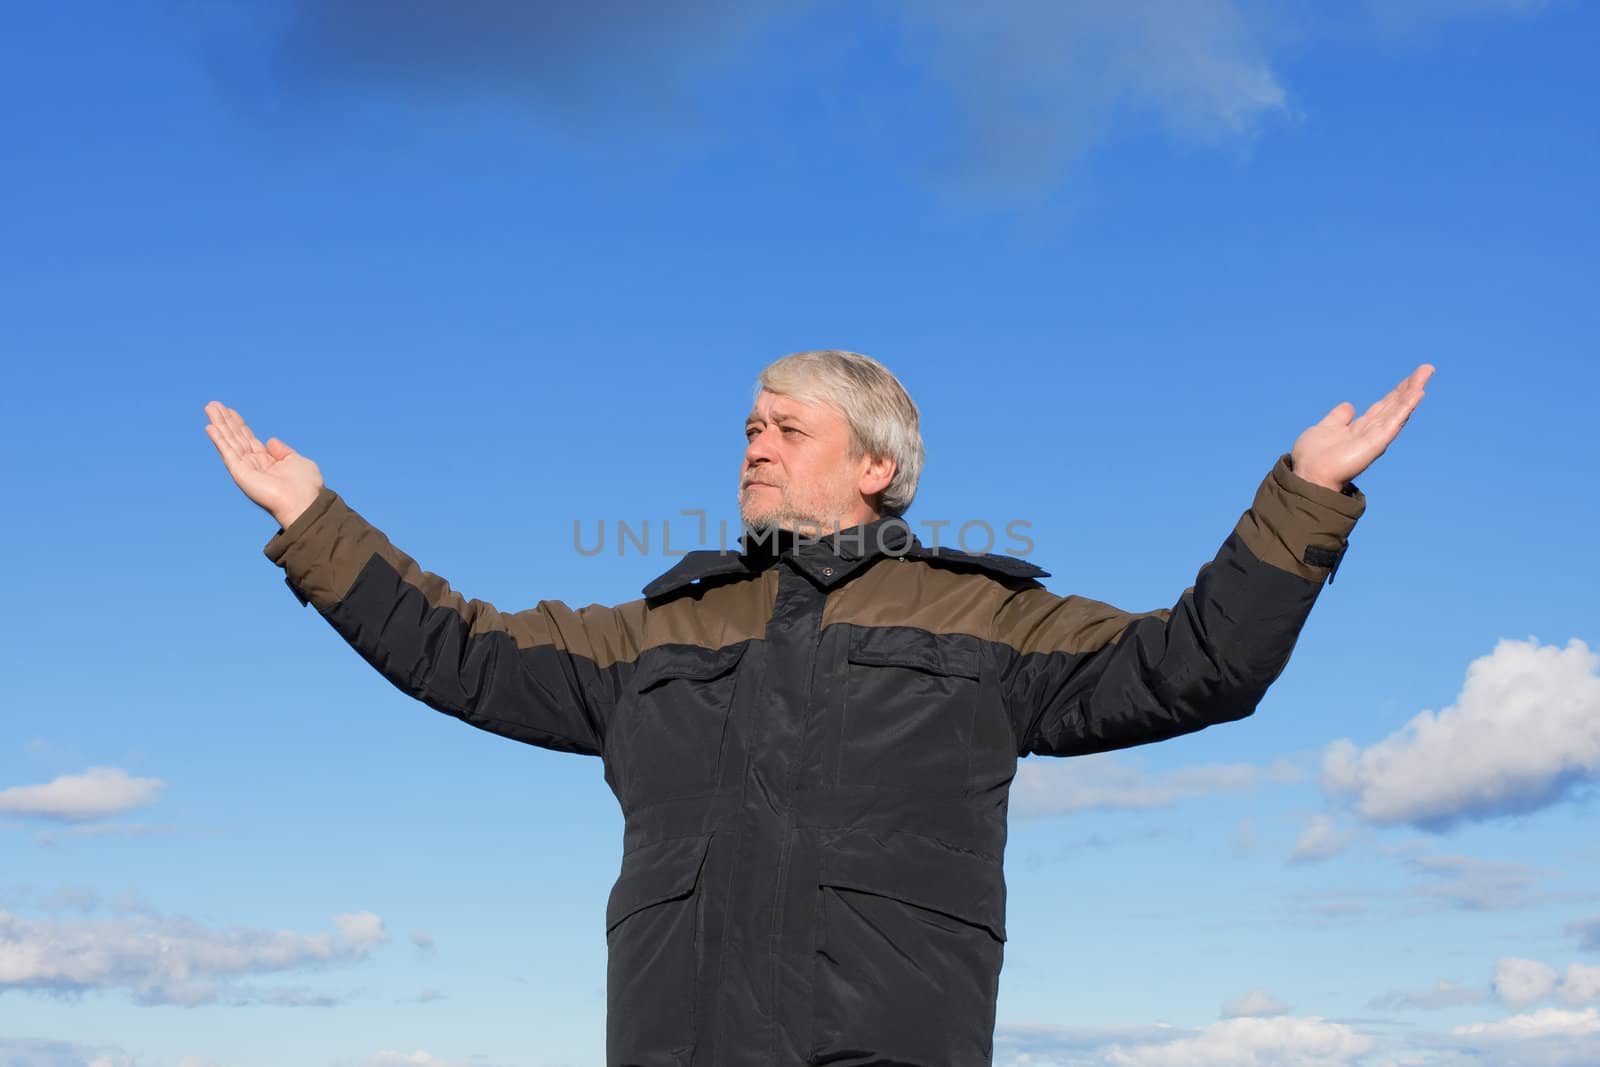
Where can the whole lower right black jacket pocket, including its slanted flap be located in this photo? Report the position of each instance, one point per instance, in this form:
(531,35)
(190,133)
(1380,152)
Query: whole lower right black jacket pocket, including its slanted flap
(911,938)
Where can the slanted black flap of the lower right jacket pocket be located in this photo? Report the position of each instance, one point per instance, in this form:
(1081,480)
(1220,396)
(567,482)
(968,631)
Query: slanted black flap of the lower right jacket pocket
(919,871)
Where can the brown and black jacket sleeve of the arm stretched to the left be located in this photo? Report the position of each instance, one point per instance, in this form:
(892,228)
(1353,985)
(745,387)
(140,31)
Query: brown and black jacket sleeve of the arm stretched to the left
(540,676)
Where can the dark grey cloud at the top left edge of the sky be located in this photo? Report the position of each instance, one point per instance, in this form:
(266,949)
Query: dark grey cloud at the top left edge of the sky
(580,68)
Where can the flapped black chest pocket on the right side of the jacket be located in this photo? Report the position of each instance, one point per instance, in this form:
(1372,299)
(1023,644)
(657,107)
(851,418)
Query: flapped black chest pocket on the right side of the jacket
(908,706)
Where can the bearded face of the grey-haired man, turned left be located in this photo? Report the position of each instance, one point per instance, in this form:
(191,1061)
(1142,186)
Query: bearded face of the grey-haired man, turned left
(798,471)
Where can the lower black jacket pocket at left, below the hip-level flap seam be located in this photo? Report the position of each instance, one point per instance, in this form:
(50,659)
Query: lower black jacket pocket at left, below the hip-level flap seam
(654,954)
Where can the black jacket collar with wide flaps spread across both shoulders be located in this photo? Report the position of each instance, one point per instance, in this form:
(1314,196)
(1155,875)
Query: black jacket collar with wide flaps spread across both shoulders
(831,559)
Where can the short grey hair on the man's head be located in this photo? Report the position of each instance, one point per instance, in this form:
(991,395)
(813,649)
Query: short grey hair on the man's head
(881,414)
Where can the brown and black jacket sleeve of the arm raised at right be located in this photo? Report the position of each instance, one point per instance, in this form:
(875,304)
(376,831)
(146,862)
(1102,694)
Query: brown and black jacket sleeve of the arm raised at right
(1087,677)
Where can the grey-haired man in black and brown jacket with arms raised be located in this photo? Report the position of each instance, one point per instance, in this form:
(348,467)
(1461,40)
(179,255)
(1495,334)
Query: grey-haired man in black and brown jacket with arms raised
(814,740)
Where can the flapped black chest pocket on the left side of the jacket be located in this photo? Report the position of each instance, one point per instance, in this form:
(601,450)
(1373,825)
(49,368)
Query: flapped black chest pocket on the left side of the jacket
(676,721)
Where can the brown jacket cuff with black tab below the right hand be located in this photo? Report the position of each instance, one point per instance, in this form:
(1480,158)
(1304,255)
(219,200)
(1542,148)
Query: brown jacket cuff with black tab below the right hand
(1298,526)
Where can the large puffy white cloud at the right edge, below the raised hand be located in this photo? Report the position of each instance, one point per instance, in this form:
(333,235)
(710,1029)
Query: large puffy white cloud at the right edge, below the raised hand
(1524,732)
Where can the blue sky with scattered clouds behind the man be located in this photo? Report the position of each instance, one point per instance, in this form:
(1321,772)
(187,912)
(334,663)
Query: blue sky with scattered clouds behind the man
(506,270)
